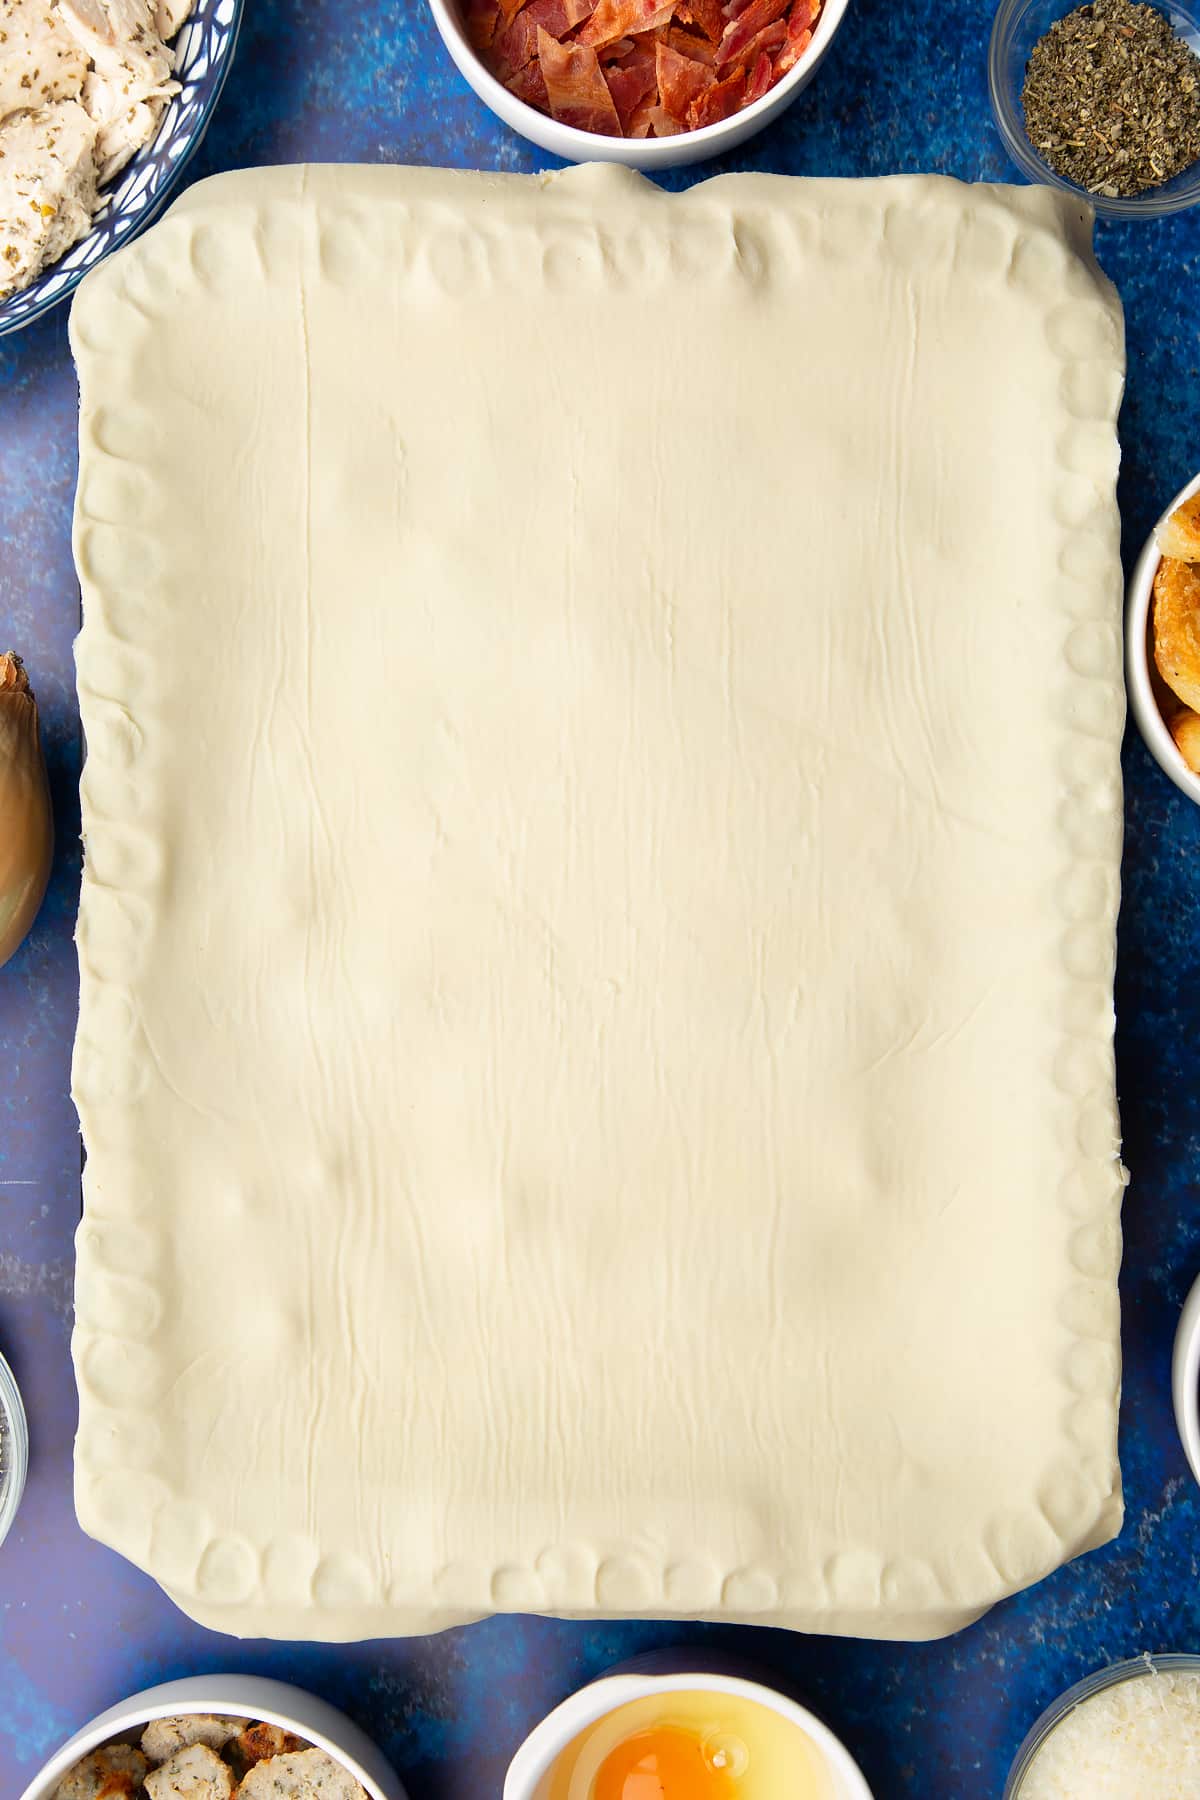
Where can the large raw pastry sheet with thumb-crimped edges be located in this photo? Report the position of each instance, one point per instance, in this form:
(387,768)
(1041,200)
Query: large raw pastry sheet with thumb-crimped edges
(602,858)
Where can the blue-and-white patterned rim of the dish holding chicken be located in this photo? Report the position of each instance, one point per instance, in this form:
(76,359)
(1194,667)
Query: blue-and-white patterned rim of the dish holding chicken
(204,53)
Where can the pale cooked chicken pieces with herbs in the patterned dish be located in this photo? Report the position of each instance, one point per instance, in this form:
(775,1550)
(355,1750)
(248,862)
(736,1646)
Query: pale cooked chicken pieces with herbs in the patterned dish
(84,85)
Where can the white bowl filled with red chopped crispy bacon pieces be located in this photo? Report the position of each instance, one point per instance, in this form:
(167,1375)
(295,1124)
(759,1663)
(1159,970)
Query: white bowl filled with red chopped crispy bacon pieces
(641,82)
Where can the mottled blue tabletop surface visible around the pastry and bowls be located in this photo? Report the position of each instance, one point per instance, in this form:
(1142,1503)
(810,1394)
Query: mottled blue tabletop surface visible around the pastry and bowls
(78,1628)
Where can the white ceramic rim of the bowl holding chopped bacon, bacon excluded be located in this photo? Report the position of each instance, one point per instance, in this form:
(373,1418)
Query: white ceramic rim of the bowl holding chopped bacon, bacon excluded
(638,152)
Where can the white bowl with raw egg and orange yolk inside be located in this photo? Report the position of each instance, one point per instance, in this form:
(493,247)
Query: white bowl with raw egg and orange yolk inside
(568,1752)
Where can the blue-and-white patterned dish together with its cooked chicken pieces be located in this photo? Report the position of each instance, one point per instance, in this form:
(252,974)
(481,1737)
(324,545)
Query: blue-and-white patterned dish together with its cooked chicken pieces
(102,105)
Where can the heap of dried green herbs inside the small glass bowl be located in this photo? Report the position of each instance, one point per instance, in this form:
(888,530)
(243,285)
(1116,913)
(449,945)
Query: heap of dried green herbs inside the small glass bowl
(1113,100)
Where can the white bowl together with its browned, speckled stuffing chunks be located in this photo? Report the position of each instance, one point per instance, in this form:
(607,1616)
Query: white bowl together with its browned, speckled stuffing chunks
(219,1738)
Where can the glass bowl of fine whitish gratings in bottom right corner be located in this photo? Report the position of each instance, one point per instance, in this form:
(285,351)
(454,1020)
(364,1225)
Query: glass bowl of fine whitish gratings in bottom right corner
(1133,1729)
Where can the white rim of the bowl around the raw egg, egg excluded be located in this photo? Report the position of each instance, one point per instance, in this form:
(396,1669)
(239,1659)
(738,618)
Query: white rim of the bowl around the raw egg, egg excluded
(544,1747)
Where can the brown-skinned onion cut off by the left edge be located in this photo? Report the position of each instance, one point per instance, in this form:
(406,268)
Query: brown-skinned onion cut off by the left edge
(26,820)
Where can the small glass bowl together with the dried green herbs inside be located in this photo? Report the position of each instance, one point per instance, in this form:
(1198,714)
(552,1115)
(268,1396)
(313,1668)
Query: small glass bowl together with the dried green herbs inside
(1102,100)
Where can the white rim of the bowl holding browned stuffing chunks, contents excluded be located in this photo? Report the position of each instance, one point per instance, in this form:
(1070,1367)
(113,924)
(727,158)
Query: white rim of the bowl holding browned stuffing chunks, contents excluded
(240,1698)
